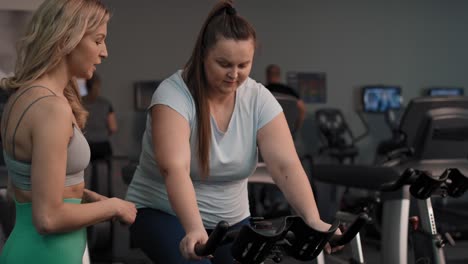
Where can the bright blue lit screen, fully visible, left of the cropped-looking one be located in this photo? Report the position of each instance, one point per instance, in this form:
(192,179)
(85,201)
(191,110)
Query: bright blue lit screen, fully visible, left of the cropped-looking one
(381,98)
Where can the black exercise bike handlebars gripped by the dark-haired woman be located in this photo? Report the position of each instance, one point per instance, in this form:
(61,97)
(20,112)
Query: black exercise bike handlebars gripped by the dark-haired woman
(253,244)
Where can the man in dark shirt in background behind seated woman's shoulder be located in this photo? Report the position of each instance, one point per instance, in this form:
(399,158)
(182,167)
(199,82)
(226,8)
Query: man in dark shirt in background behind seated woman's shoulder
(273,83)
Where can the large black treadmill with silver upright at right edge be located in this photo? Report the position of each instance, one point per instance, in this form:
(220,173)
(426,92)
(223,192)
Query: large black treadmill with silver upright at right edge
(436,134)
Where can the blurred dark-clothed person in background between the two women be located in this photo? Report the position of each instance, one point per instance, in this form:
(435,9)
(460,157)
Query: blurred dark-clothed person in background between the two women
(101,124)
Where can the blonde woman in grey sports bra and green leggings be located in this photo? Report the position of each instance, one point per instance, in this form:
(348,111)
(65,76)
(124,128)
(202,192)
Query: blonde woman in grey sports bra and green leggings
(45,151)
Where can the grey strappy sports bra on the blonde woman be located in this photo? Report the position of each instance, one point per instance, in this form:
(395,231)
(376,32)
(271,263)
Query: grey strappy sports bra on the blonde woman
(78,153)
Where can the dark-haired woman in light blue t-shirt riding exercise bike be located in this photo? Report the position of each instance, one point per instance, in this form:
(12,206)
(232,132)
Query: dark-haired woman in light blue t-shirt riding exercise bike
(200,145)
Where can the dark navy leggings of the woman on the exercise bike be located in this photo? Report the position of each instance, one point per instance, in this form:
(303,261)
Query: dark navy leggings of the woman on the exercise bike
(158,234)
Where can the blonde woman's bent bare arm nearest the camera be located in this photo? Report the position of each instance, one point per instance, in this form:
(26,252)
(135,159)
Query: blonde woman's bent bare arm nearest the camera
(50,138)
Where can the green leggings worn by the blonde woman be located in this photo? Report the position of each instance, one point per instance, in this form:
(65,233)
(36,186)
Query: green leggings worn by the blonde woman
(26,245)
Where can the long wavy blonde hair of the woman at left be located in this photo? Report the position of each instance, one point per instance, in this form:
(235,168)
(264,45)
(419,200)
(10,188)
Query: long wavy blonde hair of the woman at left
(54,31)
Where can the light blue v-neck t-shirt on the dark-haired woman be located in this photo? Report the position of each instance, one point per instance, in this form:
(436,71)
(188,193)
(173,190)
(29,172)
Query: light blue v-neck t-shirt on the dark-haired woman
(233,153)
